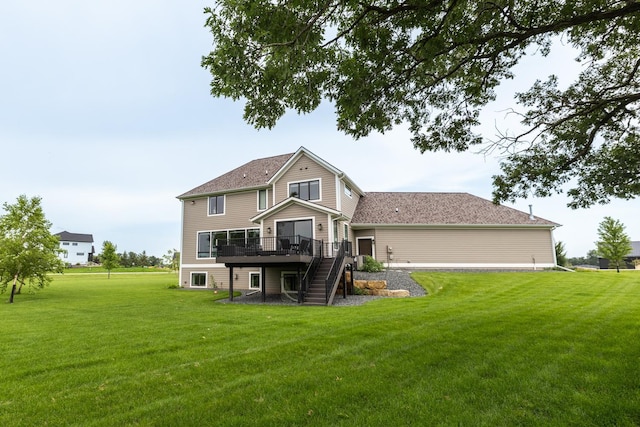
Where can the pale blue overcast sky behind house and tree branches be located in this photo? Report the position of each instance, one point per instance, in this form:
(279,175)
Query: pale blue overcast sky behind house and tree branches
(105,113)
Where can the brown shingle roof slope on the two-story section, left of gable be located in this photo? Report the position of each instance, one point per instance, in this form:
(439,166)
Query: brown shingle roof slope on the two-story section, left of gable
(253,174)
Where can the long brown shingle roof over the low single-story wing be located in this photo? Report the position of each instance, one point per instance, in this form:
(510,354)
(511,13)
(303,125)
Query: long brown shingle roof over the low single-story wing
(392,208)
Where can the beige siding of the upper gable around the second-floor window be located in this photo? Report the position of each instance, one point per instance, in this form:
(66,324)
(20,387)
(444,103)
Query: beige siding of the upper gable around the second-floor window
(305,169)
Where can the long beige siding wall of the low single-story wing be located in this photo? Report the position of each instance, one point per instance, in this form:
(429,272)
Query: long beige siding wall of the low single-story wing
(464,246)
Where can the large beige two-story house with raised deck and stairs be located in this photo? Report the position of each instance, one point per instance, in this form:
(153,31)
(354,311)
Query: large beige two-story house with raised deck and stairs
(291,224)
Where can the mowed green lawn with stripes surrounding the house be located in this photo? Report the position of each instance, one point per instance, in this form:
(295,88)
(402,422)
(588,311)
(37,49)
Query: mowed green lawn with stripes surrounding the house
(545,348)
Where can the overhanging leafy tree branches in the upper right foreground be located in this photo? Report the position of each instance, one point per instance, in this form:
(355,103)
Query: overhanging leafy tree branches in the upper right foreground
(433,65)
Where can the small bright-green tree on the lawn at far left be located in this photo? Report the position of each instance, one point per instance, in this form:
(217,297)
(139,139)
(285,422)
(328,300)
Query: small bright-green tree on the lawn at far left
(28,250)
